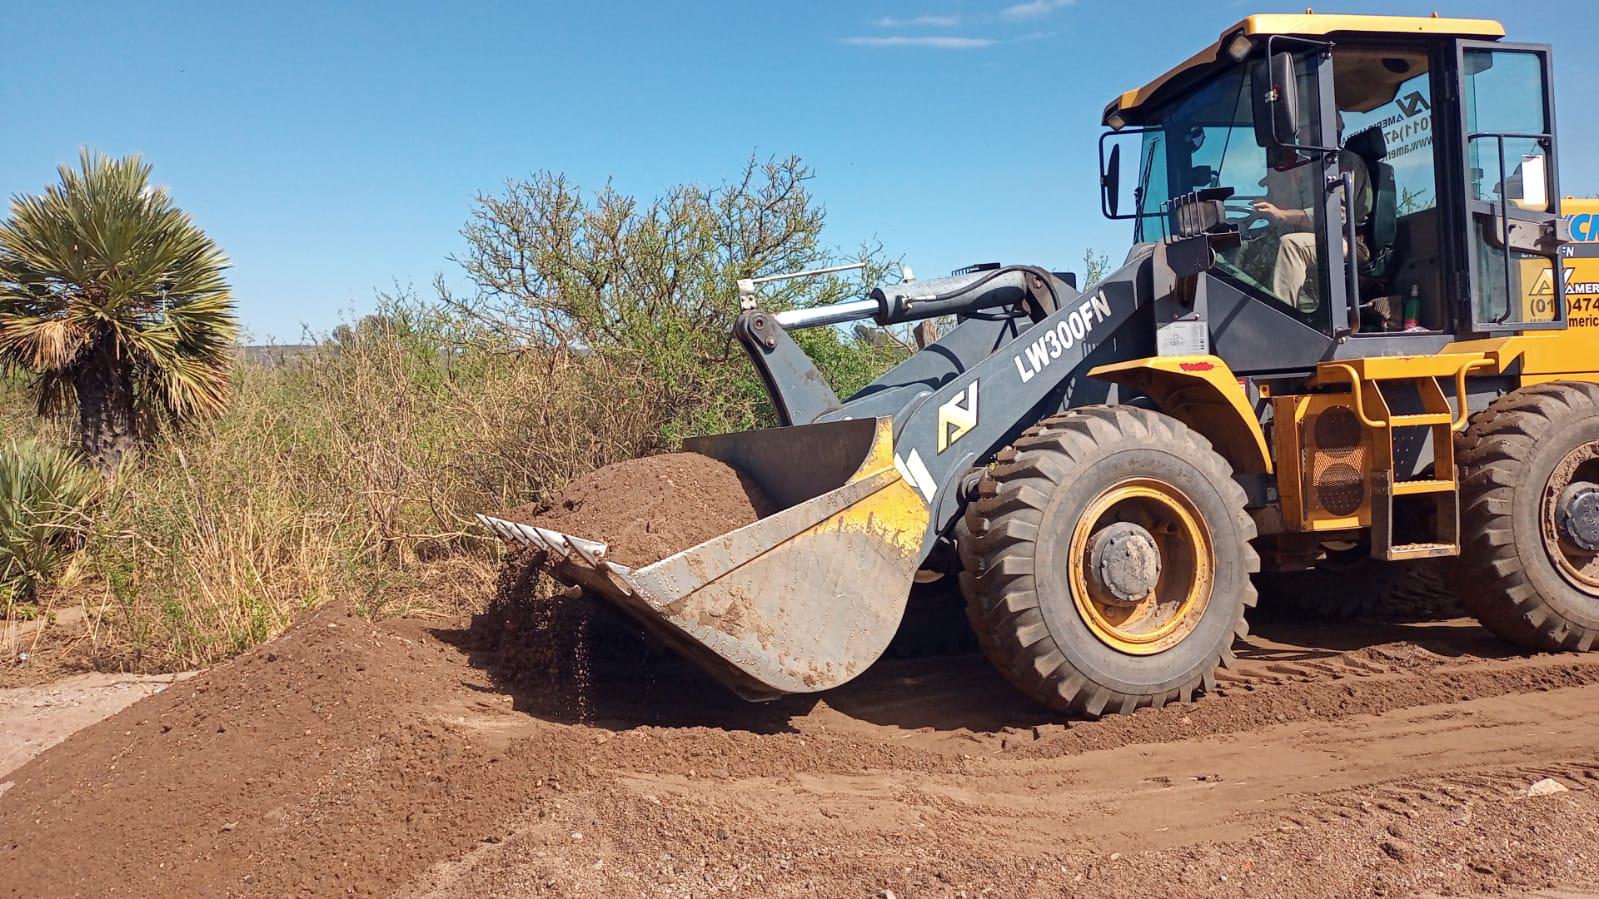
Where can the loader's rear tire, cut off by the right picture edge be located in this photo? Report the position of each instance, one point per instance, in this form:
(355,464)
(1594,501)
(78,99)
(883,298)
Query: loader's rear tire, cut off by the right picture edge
(1518,573)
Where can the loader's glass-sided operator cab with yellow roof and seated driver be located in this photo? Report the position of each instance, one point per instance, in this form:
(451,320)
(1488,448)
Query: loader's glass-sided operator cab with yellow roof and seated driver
(1374,177)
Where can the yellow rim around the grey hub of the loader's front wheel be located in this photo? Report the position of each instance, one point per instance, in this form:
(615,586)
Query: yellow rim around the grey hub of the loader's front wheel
(1166,521)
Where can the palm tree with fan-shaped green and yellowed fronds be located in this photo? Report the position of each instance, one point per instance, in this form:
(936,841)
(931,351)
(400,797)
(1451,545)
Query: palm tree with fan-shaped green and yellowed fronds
(113,300)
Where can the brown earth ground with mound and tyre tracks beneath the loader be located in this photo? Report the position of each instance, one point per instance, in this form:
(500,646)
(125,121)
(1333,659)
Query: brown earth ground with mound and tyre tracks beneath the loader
(362,759)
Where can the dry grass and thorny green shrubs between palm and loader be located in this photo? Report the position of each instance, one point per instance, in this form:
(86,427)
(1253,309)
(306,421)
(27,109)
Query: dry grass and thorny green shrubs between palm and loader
(599,332)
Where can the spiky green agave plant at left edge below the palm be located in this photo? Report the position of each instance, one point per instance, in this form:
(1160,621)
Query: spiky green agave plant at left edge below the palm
(44,497)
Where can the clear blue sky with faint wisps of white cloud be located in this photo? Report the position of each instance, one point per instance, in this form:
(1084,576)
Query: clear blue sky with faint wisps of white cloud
(333,150)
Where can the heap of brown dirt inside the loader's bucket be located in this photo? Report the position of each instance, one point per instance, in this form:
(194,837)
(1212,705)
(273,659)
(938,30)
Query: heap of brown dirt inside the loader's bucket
(648,509)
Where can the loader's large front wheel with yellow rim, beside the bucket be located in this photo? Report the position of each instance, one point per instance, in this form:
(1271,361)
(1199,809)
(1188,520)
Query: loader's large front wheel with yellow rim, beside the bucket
(1071,495)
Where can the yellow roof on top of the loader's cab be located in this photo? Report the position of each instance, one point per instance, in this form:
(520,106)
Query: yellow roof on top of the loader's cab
(1301,25)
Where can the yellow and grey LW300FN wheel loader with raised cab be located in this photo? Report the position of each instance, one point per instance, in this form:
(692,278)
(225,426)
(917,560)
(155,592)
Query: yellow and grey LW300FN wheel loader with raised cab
(1357,324)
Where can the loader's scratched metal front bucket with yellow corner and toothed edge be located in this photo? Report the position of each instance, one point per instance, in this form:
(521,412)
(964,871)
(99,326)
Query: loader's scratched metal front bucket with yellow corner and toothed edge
(799,602)
